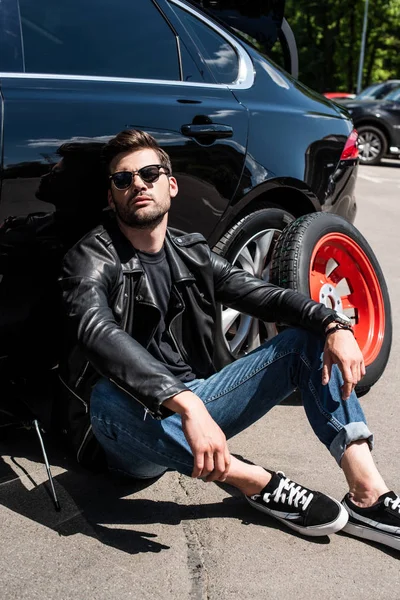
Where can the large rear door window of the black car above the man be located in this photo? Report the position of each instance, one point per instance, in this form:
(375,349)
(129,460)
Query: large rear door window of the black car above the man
(98,37)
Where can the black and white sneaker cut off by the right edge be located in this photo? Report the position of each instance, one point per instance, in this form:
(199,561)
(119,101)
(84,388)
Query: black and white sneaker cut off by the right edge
(379,523)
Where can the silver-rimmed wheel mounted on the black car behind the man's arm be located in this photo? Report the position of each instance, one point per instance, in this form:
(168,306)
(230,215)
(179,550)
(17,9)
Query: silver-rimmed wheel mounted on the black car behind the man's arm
(249,244)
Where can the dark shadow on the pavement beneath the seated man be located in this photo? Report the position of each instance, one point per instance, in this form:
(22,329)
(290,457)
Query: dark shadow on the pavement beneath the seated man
(97,504)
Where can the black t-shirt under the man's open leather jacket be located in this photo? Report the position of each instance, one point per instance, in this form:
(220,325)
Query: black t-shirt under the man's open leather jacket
(162,347)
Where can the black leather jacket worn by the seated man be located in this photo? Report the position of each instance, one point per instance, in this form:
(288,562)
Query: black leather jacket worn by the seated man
(112,314)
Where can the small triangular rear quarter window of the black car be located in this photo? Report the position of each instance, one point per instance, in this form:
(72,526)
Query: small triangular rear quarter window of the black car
(217,53)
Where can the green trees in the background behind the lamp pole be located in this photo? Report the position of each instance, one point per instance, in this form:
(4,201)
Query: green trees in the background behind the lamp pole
(328,36)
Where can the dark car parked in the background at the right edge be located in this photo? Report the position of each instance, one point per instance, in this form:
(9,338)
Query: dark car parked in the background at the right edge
(378,126)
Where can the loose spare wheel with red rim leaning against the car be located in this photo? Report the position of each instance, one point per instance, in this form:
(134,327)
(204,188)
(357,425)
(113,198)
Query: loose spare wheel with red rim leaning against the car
(328,259)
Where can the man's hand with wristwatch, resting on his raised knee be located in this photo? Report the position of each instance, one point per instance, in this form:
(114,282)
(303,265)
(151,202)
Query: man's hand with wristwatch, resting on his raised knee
(342,350)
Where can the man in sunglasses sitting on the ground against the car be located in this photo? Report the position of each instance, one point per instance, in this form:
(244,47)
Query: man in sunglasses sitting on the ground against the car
(141,303)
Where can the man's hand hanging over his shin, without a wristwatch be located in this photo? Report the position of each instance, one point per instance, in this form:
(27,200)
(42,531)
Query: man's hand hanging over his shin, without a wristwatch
(205,438)
